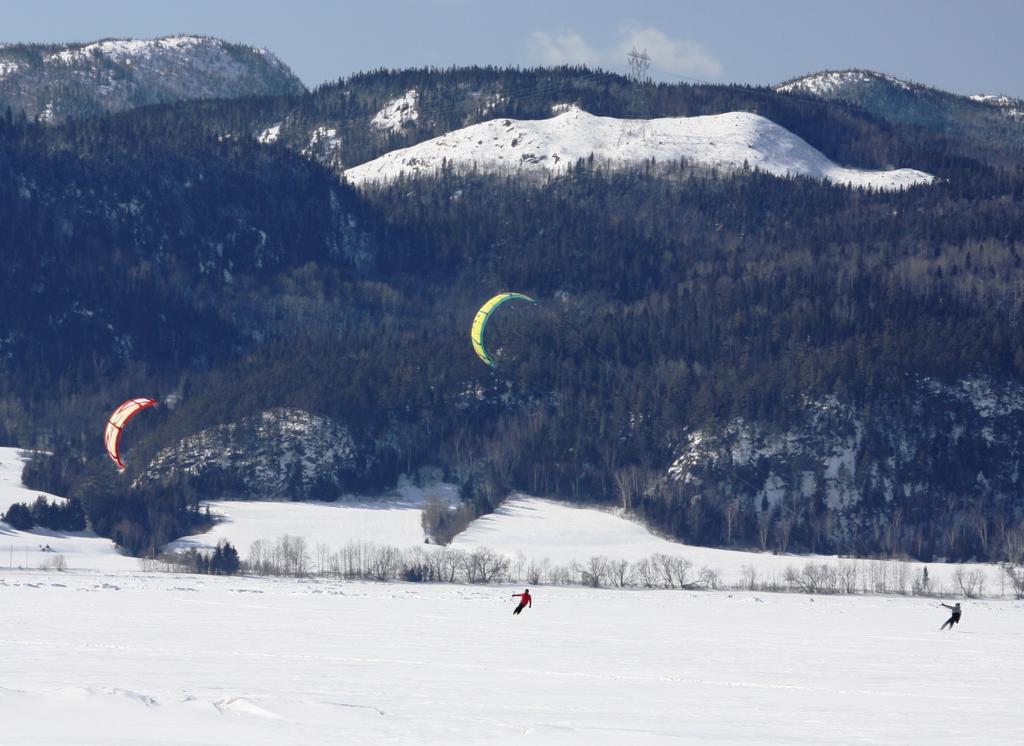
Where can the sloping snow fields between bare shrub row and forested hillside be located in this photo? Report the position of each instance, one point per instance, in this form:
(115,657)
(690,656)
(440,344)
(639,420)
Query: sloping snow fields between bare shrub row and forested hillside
(542,532)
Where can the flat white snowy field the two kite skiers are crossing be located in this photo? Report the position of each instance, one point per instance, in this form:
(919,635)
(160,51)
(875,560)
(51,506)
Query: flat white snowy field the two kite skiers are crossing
(172,660)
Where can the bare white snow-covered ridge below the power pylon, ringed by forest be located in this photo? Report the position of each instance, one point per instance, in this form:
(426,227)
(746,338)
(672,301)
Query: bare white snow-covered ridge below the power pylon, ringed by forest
(730,142)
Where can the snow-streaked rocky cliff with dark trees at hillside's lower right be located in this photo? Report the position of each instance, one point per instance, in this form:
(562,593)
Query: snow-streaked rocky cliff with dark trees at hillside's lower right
(944,456)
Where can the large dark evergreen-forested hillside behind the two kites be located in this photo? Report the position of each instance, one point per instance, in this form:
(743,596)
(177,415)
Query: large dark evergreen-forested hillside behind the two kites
(169,252)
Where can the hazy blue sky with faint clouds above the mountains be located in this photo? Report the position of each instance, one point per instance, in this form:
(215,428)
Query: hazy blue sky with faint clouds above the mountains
(968,47)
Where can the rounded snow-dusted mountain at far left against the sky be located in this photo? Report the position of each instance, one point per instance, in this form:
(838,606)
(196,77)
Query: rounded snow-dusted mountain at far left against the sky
(56,81)
